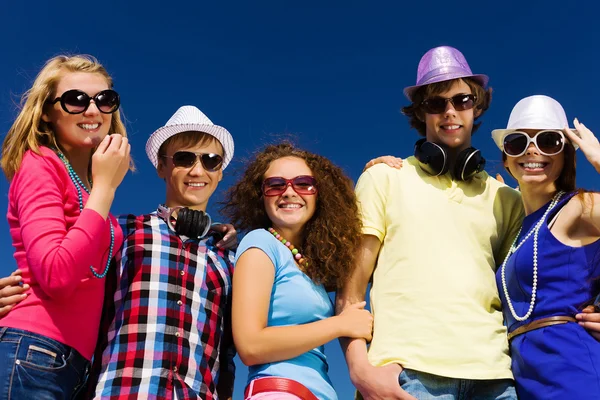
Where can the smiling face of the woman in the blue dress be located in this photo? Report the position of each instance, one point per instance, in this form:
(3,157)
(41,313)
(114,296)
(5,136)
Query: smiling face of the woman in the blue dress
(533,168)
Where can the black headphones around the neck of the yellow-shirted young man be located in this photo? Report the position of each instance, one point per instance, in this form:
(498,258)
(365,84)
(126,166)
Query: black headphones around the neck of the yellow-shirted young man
(433,159)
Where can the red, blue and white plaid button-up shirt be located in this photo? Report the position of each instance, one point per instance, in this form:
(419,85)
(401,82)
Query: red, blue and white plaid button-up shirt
(167,323)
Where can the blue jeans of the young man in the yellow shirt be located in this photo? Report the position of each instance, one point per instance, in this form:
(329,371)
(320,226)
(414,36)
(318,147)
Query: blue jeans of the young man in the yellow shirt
(426,386)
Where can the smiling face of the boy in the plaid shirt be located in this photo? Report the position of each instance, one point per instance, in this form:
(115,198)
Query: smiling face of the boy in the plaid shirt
(189,187)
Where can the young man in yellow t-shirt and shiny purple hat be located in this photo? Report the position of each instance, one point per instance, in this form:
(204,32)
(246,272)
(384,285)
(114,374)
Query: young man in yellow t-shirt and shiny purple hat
(434,231)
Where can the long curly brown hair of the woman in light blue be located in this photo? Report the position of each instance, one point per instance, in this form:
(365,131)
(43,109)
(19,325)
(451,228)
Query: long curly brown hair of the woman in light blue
(331,236)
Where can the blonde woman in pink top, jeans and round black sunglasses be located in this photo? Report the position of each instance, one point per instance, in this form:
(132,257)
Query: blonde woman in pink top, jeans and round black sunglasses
(65,155)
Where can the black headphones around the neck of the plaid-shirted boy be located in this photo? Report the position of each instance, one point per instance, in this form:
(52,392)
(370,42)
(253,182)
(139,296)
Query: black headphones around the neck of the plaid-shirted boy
(190,223)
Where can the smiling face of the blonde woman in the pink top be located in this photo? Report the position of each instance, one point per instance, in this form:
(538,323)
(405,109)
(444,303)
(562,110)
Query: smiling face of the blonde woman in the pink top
(78,131)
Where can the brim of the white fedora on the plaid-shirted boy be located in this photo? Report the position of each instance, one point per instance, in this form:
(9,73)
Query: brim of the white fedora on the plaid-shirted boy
(165,132)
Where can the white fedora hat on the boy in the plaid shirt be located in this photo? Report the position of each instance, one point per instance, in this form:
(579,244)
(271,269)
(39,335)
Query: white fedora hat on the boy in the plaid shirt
(186,119)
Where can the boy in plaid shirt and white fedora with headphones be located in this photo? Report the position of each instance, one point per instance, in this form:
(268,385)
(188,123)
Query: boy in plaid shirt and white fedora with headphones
(166,324)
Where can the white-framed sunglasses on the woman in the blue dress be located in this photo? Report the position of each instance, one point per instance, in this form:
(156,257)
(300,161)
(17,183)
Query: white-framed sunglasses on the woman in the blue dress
(548,142)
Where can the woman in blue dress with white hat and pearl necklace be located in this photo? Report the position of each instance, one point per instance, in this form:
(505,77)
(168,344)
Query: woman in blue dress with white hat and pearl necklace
(552,271)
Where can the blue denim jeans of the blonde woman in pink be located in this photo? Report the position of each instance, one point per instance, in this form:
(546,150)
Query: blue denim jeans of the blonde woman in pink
(33,366)
